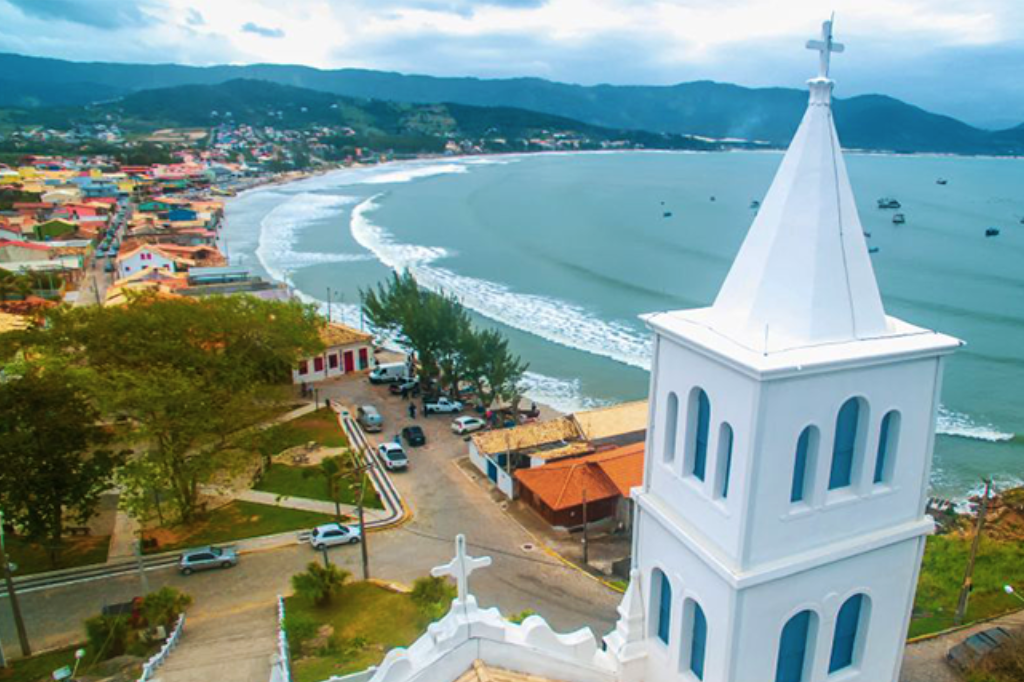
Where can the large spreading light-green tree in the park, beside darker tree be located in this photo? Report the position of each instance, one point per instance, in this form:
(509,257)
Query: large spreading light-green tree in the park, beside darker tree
(185,373)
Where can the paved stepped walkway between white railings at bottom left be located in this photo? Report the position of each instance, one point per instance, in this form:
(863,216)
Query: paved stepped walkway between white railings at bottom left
(235,648)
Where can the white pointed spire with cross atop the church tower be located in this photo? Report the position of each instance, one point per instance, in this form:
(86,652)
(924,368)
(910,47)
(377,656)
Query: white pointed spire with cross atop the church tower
(803,276)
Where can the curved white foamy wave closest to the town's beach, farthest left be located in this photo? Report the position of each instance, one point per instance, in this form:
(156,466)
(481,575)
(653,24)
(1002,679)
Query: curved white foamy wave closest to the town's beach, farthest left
(280,229)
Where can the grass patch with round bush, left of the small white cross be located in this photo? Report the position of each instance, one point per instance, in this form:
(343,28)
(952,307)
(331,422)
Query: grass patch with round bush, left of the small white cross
(368,622)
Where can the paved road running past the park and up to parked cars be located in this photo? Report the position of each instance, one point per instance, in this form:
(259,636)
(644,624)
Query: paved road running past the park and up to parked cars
(444,502)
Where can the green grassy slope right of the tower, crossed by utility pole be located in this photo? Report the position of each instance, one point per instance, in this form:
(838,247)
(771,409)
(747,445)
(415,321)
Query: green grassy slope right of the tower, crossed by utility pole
(943,574)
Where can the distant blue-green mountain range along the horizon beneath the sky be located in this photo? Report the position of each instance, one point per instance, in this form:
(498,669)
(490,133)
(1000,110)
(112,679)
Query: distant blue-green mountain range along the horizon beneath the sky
(702,108)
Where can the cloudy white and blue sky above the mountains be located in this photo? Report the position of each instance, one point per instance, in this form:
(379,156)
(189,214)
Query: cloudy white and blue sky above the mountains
(962,58)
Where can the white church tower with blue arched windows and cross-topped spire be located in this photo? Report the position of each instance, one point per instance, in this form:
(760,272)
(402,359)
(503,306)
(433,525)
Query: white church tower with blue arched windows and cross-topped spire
(782,521)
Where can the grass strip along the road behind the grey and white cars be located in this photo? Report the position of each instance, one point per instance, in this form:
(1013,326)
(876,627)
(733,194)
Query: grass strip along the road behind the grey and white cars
(236,521)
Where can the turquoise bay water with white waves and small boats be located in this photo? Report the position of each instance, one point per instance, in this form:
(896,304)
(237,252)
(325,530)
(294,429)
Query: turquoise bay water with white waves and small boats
(565,251)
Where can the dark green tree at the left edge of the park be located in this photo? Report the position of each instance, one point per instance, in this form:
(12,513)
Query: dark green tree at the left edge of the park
(52,446)
